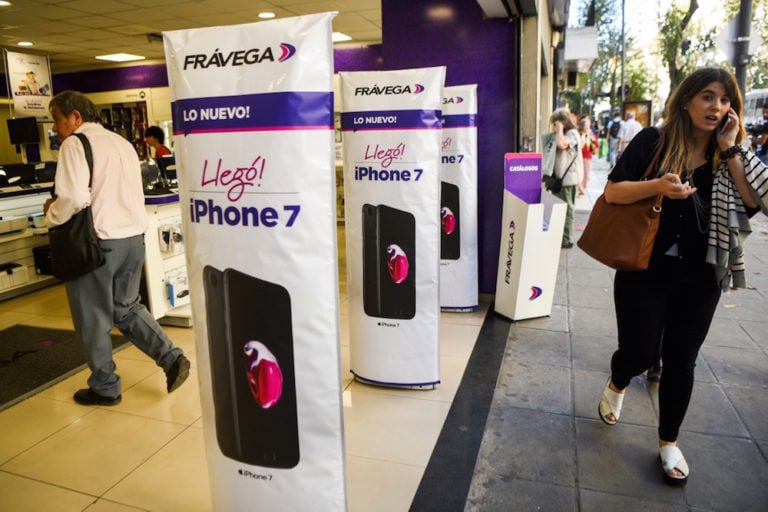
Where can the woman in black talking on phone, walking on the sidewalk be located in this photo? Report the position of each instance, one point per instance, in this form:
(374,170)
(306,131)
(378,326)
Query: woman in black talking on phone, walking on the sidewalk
(703,173)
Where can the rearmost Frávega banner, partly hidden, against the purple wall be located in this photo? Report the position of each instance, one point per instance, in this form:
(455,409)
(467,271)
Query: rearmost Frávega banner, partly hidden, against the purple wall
(458,200)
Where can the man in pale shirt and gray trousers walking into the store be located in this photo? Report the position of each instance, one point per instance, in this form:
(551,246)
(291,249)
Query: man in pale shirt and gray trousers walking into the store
(109,295)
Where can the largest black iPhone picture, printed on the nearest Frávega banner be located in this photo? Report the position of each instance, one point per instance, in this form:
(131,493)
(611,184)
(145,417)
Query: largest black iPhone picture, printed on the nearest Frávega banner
(261,398)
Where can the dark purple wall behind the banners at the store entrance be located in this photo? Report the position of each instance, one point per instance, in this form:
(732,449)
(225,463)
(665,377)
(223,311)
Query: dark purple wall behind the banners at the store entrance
(474,50)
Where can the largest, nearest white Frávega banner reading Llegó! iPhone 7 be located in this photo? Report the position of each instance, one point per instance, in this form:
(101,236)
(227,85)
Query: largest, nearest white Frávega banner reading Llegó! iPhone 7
(253,119)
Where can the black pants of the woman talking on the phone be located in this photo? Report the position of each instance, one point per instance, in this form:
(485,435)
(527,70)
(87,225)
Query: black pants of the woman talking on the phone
(673,299)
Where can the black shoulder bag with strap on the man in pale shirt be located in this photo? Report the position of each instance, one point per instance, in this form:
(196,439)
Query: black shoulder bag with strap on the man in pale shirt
(75,249)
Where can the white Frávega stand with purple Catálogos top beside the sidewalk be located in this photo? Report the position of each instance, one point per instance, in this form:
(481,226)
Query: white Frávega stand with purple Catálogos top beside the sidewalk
(531,234)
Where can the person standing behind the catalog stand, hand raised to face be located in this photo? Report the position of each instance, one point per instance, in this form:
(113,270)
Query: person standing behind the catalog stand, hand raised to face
(568,164)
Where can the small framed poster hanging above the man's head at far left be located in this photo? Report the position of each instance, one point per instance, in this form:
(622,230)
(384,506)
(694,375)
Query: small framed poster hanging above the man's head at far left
(29,84)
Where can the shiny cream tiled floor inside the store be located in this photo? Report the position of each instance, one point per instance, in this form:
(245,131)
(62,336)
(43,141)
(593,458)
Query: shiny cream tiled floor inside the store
(147,453)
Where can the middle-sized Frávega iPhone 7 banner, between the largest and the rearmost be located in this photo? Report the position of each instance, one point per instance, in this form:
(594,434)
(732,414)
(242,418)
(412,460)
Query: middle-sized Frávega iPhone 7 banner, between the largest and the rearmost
(391,129)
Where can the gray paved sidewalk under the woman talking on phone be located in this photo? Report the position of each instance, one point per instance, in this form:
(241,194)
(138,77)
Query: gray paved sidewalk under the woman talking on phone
(544,446)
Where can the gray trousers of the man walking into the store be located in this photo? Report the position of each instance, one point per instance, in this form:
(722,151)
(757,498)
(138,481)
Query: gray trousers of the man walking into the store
(107,297)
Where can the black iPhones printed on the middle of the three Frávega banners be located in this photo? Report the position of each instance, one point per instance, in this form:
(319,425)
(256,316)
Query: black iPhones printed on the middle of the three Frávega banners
(389,262)
